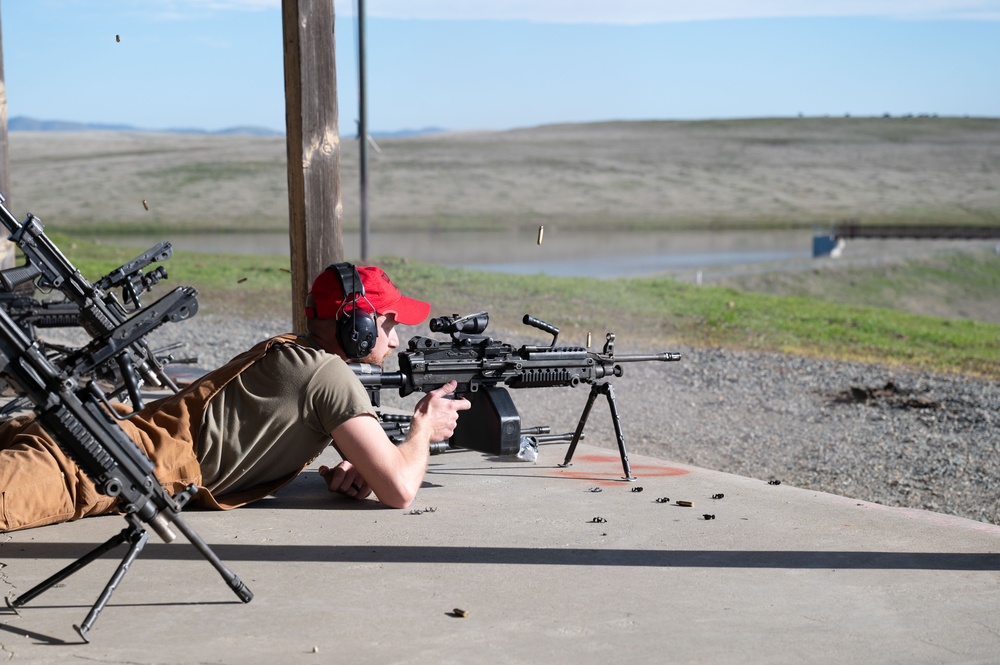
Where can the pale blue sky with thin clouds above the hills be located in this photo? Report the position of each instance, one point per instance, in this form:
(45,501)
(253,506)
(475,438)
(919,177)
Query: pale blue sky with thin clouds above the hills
(498,64)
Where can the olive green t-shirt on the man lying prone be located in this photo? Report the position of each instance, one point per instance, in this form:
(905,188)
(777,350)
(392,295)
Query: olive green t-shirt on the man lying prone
(276,417)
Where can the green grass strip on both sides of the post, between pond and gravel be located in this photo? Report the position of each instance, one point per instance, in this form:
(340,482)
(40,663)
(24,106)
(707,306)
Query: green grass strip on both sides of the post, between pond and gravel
(644,313)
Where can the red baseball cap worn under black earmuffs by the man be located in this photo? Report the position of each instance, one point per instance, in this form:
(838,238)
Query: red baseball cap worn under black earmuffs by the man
(381,295)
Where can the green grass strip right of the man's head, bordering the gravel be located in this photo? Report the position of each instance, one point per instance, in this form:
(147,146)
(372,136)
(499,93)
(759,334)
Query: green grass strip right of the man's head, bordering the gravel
(664,311)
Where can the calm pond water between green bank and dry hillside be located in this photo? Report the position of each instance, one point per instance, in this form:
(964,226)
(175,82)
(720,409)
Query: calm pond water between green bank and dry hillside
(686,255)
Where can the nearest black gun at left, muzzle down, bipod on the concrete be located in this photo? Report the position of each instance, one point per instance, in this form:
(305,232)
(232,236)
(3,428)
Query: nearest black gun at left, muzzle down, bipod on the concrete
(76,417)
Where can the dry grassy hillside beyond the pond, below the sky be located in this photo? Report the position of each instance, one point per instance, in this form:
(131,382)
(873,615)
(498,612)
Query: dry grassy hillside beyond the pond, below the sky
(795,172)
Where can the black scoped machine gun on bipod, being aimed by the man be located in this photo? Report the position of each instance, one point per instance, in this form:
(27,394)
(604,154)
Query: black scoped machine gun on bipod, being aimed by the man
(484,367)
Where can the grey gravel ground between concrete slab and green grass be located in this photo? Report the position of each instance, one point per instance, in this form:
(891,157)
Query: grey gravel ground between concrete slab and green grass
(860,430)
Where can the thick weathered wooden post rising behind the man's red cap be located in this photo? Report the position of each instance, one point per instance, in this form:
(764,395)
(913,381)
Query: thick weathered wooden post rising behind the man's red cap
(313,143)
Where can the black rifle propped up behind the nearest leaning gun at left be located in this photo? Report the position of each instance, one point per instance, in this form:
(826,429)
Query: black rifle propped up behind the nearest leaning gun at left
(117,331)
